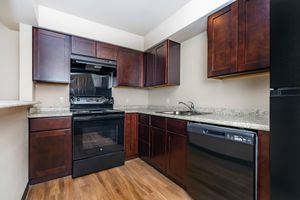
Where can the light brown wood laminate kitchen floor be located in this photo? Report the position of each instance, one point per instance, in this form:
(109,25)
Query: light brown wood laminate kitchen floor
(133,181)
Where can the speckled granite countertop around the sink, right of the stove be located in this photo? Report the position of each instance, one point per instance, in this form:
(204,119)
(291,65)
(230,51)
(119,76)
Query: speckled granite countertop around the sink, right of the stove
(255,120)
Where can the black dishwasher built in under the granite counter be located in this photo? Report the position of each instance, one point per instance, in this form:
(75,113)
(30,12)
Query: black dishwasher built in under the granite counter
(222,163)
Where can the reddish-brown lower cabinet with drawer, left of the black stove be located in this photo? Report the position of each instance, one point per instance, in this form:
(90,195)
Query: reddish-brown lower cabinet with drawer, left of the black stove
(50,148)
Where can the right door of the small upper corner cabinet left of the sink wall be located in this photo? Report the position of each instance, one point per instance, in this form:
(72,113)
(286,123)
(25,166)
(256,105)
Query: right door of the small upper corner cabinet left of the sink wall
(160,66)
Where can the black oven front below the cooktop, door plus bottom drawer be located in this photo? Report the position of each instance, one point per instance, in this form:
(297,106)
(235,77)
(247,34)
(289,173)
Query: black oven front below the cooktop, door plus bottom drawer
(98,142)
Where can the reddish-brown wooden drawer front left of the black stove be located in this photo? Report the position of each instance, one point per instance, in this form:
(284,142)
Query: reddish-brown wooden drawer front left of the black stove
(52,123)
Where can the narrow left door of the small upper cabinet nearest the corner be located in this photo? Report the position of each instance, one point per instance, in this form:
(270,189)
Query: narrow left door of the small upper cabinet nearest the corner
(149,69)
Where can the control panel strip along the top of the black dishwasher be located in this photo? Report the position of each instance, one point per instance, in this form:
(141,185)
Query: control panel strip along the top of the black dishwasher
(235,135)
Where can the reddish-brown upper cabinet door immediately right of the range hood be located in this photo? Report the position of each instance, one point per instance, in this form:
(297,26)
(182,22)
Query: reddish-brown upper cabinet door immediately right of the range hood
(130,68)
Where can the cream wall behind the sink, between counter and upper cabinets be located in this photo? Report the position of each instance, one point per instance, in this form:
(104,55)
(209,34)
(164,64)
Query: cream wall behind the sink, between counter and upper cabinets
(242,93)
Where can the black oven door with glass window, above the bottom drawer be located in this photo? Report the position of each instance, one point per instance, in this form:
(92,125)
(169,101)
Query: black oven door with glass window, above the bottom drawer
(97,137)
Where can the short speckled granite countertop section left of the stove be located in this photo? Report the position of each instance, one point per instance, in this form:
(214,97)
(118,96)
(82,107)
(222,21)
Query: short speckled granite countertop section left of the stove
(53,112)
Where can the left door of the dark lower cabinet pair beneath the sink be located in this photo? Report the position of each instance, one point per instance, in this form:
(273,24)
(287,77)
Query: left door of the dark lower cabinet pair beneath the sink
(159,145)
